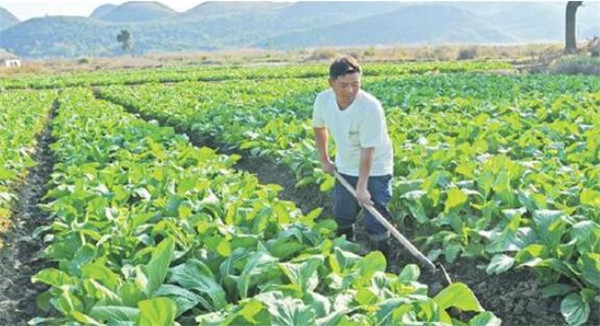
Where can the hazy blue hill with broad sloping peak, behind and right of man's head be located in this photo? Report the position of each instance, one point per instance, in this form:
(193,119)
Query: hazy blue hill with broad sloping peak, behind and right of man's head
(447,24)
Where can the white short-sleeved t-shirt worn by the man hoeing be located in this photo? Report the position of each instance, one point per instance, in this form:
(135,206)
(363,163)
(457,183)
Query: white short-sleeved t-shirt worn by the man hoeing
(361,125)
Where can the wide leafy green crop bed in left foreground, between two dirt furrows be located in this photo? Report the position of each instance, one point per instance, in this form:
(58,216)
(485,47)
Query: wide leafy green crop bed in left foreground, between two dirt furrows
(148,228)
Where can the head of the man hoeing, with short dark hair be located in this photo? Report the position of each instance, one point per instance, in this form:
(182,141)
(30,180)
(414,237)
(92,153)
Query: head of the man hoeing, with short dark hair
(344,78)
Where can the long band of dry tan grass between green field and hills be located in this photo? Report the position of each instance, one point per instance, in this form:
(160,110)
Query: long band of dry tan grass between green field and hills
(514,53)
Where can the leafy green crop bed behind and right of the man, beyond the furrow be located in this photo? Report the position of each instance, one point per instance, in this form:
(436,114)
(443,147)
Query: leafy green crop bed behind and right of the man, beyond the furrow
(500,167)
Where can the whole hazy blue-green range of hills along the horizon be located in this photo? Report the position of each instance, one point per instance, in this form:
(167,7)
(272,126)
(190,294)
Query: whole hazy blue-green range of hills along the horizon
(283,25)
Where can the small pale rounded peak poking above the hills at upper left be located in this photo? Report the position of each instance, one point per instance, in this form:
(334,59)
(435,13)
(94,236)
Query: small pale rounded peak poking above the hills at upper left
(136,12)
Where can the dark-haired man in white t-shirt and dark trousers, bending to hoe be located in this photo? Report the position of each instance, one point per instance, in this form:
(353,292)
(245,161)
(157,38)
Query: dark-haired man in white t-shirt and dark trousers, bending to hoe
(364,157)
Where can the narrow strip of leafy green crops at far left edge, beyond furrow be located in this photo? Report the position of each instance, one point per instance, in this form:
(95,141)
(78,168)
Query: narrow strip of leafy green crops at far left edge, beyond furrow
(22,118)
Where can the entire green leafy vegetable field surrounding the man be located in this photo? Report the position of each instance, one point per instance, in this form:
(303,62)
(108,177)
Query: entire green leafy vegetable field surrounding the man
(158,204)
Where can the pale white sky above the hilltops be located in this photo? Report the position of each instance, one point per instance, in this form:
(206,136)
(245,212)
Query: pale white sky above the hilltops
(29,9)
